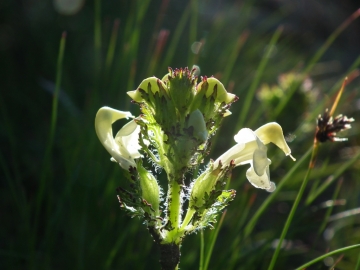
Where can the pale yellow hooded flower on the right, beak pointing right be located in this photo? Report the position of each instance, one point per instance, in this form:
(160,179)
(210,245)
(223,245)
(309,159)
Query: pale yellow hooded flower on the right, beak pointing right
(251,149)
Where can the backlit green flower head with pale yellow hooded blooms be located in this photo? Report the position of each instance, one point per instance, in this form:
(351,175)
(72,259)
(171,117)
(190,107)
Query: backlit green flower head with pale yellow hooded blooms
(178,118)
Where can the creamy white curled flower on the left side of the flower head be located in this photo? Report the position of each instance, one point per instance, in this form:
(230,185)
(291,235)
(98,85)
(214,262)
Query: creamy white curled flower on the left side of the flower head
(124,147)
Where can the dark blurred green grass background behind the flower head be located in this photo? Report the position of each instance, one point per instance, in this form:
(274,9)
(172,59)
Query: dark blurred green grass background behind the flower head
(58,201)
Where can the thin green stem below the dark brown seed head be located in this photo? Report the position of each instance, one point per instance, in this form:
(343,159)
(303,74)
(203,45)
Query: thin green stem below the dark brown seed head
(295,205)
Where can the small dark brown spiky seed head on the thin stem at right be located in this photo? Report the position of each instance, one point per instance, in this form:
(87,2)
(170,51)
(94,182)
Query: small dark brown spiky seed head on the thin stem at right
(327,127)
